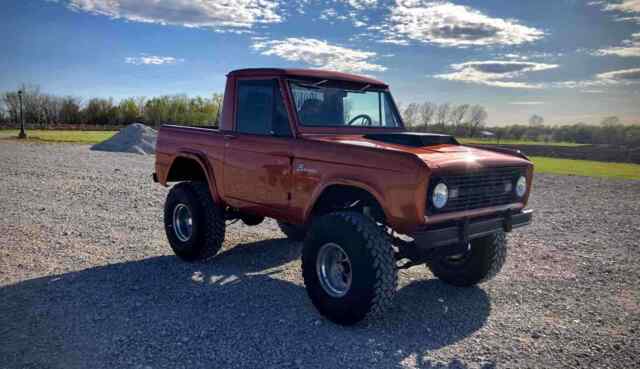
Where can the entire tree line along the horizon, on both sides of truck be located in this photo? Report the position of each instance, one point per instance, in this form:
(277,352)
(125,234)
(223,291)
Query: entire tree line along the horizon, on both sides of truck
(465,120)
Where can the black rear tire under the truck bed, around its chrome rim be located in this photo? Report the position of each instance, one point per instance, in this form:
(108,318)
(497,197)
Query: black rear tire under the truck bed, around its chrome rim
(208,221)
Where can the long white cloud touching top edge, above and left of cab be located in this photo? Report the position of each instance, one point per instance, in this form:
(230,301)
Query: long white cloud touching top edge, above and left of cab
(194,14)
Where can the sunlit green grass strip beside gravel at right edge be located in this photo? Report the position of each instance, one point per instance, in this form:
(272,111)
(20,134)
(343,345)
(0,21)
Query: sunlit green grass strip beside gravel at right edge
(586,168)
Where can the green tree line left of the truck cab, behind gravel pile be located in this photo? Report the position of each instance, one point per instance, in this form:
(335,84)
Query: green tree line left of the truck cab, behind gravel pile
(45,110)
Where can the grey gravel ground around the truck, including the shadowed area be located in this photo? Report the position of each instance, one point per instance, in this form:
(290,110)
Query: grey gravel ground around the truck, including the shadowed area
(87,280)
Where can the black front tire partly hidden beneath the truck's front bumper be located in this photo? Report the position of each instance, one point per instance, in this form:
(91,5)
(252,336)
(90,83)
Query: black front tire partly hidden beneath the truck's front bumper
(484,260)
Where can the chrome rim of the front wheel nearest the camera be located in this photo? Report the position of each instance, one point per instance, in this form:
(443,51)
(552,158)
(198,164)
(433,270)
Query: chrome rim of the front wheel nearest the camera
(333,267)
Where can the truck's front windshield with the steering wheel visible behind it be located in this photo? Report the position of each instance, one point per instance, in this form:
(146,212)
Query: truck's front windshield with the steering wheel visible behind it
(338,107)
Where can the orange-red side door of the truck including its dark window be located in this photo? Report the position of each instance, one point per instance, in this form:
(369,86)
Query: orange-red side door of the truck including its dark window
(257,154)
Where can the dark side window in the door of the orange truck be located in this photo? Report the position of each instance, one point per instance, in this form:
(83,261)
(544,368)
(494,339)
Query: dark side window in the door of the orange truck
(261,109)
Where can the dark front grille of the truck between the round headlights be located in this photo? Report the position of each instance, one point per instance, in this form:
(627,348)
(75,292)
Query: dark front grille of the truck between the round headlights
(484,188)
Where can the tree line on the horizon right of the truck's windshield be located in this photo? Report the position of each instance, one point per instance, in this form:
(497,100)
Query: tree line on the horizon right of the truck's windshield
(470,121)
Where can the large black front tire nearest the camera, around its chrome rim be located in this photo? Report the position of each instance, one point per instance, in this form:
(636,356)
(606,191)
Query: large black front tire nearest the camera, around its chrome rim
(374,272)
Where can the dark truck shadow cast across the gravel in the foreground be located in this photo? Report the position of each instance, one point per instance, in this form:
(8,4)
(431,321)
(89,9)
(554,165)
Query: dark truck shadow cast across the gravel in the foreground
(231,312)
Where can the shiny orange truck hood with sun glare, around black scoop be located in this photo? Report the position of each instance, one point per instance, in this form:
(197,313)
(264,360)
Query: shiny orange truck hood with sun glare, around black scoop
(436,155)
